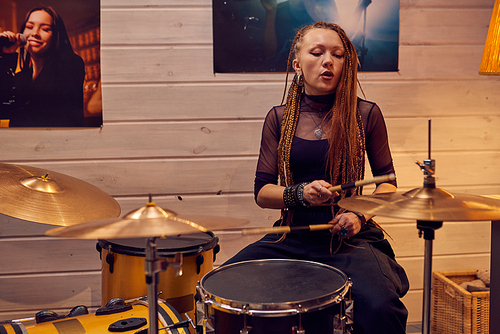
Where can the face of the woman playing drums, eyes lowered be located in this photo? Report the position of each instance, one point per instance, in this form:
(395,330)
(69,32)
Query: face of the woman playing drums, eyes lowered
(320,61)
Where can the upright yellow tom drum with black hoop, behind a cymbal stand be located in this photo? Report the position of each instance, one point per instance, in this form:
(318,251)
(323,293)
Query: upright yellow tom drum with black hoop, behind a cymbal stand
(123,273)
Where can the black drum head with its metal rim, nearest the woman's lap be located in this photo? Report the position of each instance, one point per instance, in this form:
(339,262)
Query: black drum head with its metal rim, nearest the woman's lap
(273,285)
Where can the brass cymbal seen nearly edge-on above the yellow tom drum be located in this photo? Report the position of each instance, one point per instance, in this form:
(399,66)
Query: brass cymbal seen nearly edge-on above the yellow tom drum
(146,222)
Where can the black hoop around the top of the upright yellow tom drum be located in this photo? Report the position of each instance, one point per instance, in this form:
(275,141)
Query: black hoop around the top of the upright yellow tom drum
(163,252)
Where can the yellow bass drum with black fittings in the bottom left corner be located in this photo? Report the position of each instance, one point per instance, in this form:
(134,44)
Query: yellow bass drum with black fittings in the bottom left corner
(128,319)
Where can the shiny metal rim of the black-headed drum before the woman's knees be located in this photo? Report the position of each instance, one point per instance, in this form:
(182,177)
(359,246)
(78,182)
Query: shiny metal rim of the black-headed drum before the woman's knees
(274,309)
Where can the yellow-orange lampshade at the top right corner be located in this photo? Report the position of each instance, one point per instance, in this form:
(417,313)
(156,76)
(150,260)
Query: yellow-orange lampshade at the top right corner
(490,63)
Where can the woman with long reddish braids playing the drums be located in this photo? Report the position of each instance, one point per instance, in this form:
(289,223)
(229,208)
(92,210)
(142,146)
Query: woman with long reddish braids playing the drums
(318,139)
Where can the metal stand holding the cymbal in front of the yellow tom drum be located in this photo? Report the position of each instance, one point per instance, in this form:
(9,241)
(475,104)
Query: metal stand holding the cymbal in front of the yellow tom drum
(153,267)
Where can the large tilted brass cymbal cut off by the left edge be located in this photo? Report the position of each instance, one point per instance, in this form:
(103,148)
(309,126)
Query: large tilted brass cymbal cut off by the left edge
(48,197)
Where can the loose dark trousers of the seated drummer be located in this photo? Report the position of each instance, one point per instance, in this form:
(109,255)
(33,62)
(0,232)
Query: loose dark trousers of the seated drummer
(367,259)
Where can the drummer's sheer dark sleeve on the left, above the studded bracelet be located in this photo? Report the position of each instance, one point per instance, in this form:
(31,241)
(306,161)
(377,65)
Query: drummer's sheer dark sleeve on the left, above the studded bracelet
(267,165)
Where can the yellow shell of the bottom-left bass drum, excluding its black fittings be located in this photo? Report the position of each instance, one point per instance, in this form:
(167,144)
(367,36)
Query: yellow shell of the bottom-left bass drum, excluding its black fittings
(95,324)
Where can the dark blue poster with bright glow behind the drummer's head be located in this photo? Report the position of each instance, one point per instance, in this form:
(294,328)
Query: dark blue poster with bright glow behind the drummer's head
(256,35)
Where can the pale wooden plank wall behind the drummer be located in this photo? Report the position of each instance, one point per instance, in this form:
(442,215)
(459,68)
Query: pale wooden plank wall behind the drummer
(190,137)
